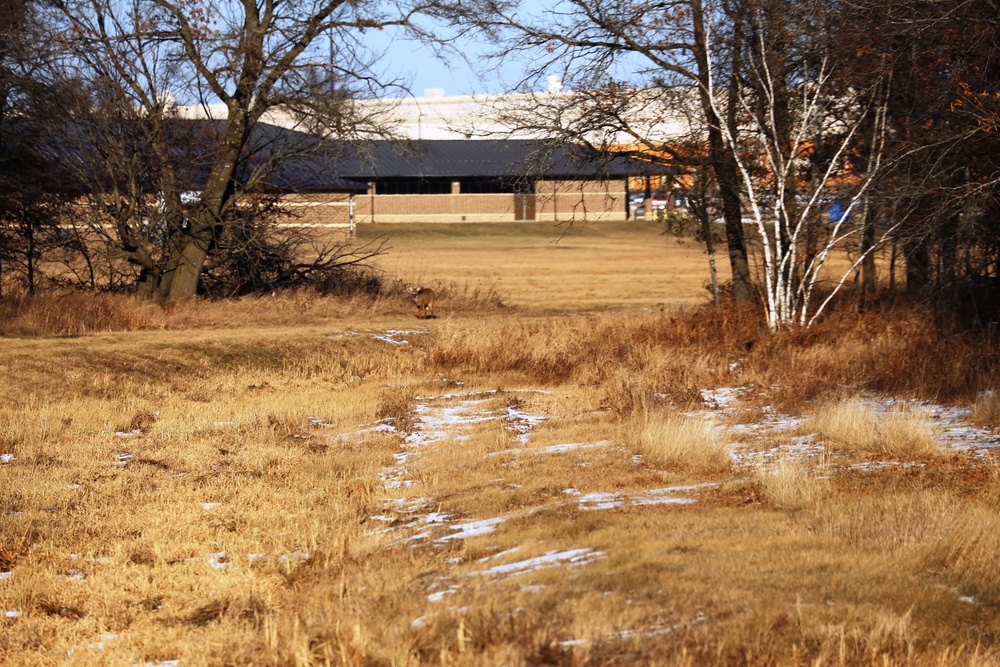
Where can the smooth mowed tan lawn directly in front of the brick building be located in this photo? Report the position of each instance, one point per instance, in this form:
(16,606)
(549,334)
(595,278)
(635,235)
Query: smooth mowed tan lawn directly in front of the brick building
(545,267)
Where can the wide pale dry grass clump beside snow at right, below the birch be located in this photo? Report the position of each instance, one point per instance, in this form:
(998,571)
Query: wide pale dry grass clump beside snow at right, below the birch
(858,427)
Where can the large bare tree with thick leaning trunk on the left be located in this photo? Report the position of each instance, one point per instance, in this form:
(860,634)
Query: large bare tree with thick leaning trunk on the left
(141,57)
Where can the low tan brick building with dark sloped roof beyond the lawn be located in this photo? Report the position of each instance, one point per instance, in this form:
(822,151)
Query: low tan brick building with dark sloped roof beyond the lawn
(487,181)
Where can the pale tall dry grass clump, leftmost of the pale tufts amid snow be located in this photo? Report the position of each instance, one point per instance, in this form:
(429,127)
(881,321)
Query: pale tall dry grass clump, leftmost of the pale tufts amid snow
(667,440)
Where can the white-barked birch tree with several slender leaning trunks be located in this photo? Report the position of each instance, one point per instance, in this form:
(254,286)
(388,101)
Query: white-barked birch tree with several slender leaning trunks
(785,121)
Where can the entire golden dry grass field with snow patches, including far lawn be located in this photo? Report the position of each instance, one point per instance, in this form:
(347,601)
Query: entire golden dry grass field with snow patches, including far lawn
(550,472)
